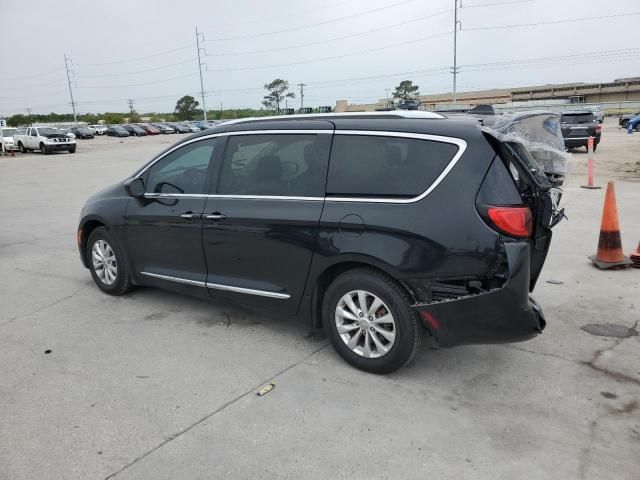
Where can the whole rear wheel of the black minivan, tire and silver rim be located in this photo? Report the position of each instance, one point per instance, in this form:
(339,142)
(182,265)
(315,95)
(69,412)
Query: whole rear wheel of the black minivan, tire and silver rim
(368,319)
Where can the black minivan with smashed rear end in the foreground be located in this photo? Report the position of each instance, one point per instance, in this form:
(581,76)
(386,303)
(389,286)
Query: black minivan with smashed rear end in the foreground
(380,228)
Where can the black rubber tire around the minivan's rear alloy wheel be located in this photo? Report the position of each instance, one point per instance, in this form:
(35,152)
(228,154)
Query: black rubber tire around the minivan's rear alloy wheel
(408,330)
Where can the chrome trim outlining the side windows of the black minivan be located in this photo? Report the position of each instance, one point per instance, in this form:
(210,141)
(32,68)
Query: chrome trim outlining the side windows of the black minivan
(460,143)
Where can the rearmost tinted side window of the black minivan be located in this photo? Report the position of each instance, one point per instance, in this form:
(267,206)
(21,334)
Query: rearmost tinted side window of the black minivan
(385,166)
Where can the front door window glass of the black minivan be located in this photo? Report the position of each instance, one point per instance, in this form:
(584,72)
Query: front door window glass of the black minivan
(183,170)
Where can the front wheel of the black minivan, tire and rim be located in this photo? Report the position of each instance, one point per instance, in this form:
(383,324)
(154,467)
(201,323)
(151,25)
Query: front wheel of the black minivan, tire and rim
(107,264)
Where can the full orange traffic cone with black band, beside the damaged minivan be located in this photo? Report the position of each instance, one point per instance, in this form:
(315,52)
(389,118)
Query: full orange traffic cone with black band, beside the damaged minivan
(610,245)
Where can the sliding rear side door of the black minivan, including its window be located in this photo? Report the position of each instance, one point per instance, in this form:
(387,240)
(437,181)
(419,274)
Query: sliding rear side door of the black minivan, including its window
(260,224)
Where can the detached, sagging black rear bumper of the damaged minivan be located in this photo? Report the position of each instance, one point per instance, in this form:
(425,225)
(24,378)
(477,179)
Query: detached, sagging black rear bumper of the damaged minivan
(504,315)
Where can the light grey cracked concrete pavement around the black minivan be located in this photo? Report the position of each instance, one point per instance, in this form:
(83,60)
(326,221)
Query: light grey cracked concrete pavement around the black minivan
(155,385)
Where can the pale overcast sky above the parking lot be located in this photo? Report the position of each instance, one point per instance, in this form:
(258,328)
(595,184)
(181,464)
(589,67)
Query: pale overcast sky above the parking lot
(341,49)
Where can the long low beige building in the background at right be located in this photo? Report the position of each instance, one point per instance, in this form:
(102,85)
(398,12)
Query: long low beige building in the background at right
(622,90)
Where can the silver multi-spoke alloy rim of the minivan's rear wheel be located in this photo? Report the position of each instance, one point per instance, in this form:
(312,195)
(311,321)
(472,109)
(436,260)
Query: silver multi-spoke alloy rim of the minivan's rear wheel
(365,324)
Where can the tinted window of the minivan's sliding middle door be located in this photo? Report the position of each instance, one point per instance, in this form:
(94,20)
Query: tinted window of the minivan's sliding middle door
(281,165)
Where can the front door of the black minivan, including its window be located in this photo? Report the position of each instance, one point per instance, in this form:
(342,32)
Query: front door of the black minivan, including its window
(163,230)
